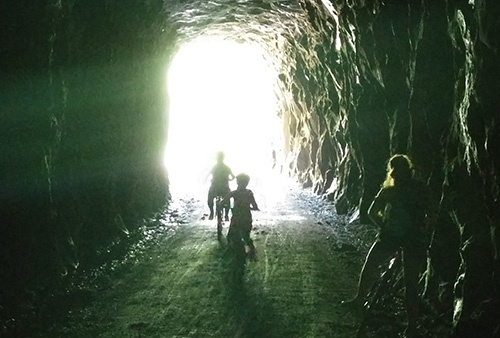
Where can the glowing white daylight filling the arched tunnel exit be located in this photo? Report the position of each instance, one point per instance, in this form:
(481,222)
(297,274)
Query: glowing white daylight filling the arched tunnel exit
(222,98)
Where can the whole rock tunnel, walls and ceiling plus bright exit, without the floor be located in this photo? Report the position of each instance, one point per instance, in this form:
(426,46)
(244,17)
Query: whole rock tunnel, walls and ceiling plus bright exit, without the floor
(87,118)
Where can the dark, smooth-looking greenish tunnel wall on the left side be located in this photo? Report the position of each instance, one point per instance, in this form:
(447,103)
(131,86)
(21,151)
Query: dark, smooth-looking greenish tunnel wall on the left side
(82,135)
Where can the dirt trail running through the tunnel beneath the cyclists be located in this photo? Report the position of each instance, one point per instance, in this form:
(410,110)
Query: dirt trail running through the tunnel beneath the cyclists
(180,287)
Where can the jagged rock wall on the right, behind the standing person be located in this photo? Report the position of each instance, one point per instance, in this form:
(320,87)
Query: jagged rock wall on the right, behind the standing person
(416,78)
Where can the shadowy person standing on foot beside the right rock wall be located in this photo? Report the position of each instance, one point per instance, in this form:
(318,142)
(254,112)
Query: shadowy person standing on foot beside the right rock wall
(404,212)
